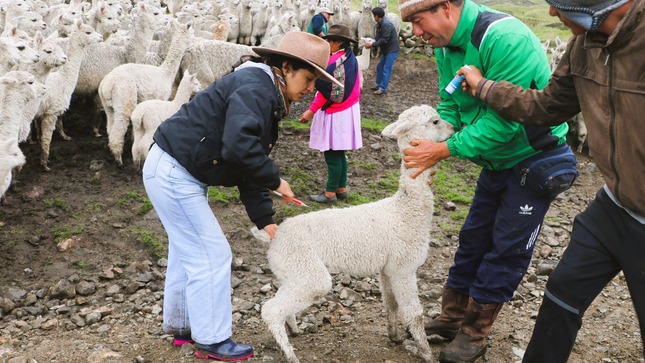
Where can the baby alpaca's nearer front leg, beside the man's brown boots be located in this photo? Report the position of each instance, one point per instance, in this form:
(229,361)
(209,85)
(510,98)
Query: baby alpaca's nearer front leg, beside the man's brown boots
(411,311)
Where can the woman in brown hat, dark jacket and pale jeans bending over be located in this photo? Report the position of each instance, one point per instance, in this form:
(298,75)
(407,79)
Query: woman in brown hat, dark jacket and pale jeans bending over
(223,137)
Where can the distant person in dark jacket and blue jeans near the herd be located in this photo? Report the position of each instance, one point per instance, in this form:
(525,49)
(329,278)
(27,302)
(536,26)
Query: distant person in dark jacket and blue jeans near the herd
(387,39)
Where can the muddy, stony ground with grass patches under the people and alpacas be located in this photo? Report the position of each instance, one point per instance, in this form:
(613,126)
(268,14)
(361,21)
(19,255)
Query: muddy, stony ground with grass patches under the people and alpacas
(79,281)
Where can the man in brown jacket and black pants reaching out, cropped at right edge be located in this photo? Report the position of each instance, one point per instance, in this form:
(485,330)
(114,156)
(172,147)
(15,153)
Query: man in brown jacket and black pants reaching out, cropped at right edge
(602,75)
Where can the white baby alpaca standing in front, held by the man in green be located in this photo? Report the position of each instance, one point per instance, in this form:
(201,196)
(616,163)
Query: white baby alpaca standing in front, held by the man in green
(389,237)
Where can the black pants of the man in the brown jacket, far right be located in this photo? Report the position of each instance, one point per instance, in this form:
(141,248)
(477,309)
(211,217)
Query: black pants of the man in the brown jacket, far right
(605,240)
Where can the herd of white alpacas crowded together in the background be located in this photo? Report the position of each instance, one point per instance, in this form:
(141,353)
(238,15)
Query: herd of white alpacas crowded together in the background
(125,39)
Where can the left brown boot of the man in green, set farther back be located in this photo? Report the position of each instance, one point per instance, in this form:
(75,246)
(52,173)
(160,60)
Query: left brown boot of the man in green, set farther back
(453,305)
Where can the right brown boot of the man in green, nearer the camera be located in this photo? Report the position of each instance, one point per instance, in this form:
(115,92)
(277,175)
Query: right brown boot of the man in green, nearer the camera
(470,342)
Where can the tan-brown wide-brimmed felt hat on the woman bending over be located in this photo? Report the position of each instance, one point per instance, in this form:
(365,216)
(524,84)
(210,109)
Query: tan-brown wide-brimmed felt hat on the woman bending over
(305,47)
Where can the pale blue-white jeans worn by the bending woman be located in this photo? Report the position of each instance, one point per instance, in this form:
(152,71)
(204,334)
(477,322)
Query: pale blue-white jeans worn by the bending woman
(197,295)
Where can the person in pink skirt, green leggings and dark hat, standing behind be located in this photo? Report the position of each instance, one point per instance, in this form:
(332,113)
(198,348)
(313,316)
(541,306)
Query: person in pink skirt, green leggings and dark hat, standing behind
(336,113)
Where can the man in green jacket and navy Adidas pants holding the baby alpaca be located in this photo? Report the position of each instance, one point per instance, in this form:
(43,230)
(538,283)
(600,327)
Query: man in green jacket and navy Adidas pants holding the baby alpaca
(497,239)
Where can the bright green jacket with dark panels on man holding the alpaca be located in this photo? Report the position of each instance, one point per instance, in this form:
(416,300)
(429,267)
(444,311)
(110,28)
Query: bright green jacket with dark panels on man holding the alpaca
(503,48)
